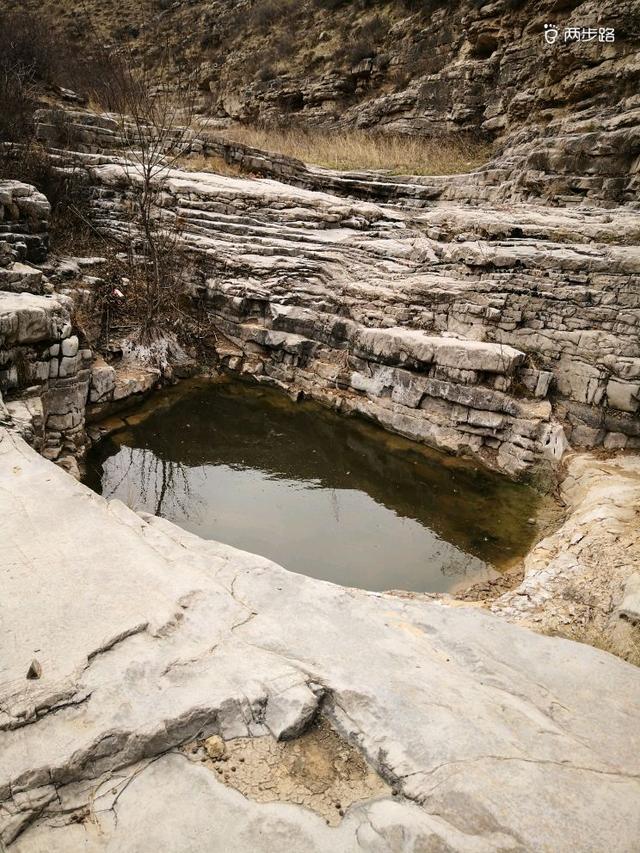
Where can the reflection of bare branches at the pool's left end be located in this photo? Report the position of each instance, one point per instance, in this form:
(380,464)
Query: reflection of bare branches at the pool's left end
(155,482)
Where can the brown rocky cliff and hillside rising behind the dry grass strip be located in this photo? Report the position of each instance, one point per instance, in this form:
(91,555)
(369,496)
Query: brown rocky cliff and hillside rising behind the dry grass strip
(566,115)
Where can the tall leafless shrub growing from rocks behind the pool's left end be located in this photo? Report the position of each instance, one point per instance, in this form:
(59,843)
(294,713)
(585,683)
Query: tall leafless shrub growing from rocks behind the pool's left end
(155,121)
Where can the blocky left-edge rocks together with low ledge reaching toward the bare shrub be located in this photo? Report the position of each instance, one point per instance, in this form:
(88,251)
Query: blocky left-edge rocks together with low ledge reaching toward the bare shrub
(50,380)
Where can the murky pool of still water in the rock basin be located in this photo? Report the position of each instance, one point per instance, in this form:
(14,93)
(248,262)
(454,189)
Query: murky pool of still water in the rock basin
(332,497)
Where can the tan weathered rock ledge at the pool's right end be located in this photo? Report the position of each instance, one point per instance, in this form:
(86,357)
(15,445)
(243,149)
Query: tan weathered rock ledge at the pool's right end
(579,581)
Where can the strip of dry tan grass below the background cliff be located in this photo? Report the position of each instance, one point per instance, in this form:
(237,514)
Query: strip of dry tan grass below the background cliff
(354,150)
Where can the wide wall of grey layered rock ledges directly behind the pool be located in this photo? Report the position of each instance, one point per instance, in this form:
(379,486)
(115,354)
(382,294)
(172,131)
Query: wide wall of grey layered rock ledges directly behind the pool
(503,333)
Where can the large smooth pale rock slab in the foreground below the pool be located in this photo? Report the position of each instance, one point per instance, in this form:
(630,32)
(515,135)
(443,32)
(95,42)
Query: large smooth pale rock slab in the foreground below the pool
(146,638)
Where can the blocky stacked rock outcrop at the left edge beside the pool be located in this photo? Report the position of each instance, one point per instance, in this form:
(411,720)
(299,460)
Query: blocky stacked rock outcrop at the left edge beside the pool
(44,370)
